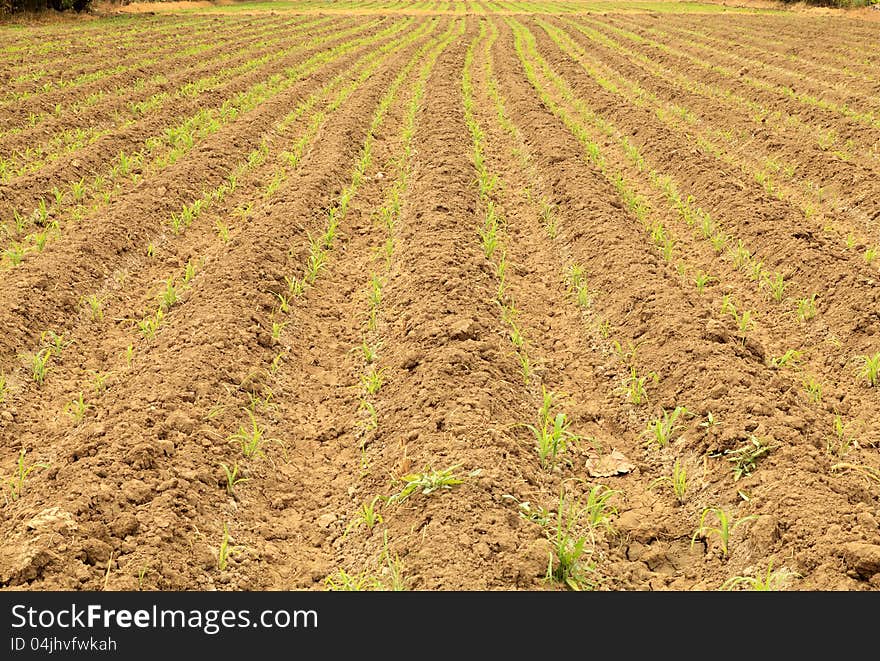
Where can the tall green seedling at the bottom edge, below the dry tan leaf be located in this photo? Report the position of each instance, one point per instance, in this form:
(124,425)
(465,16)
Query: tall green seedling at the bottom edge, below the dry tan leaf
(572,545)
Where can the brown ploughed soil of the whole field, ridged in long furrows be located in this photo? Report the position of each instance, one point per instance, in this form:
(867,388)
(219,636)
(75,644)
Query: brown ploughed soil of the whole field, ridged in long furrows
(130,492)
